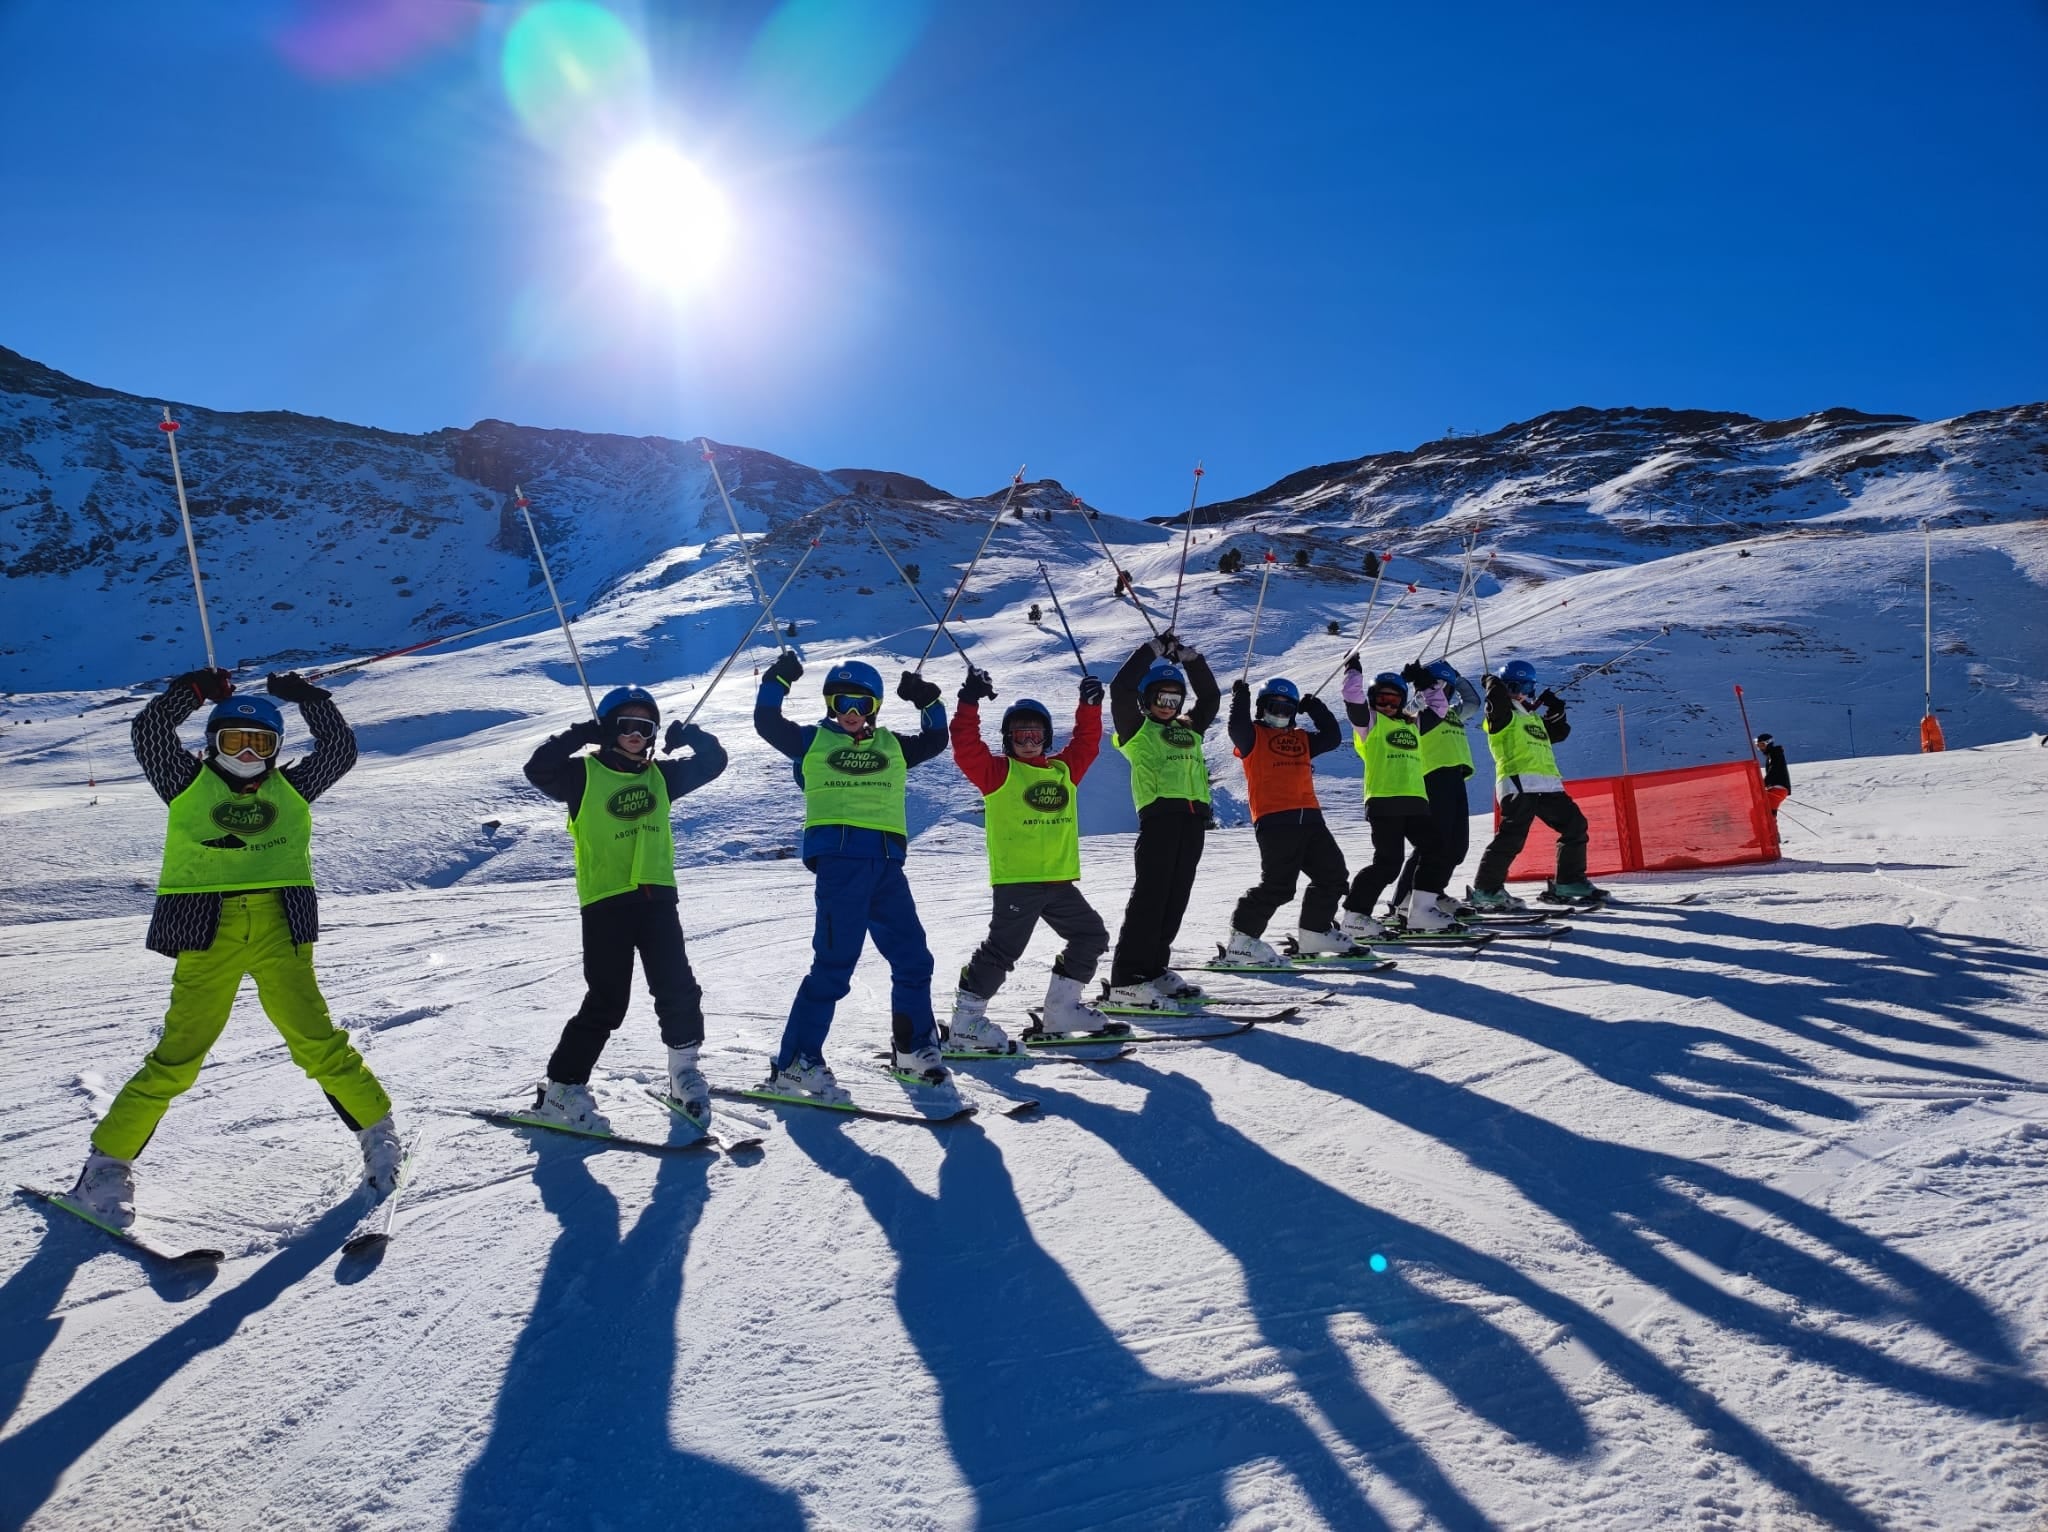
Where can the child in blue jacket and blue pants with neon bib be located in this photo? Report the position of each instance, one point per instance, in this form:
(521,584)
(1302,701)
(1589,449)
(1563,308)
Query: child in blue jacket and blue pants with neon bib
(855,841)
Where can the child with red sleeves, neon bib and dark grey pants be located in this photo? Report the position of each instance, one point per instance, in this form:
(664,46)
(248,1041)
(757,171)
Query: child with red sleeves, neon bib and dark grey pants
(1035,859)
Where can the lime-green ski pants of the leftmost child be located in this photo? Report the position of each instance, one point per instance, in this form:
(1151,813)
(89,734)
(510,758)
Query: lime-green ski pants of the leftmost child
(253,941)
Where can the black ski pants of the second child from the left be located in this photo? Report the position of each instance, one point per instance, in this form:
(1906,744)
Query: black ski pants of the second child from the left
(615,929)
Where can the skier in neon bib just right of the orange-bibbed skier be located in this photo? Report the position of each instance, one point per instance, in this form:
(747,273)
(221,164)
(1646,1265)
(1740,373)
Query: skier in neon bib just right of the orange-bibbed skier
(1398,804)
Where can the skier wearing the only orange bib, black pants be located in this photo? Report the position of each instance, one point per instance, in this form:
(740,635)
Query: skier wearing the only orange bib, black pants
(1287,820)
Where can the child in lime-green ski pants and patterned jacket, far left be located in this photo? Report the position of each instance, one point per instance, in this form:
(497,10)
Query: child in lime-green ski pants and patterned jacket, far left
(237,900)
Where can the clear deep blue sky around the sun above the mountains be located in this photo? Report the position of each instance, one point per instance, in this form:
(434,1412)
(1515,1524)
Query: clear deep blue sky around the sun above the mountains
(1101,239)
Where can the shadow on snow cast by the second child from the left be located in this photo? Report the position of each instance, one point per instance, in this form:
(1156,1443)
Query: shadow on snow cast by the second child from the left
(581,1435)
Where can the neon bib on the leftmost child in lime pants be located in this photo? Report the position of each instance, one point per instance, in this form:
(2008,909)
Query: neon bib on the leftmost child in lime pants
(222,841)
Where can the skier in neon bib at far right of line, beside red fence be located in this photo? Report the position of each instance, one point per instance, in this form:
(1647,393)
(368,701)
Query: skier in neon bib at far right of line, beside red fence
(1529,788)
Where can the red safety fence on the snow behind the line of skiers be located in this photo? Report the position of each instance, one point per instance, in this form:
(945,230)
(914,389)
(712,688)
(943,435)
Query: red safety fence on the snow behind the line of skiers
(1662,822)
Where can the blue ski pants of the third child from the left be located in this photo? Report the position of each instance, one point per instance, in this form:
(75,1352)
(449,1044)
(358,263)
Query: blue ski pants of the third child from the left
(861,898)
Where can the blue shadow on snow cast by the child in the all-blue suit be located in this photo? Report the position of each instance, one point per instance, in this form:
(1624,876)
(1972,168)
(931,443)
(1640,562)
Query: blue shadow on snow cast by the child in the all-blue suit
(1052,1422)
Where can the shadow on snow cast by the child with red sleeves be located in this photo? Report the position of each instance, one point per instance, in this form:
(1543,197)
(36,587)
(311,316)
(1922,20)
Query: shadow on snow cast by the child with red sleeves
(1306,1252)
